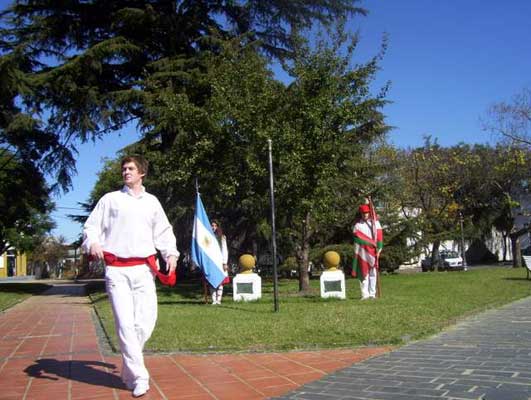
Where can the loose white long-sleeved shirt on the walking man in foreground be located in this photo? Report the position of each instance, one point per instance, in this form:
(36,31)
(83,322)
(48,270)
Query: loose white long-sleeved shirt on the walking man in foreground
(129,226)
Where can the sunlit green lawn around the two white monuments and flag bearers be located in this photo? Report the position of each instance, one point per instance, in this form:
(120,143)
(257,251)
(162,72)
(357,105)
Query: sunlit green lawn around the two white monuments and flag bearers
(412,306)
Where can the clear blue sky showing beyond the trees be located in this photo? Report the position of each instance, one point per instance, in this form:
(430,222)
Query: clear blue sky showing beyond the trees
(447,61)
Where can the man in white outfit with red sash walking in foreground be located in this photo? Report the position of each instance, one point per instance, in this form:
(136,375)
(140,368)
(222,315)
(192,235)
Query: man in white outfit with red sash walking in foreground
(125,229)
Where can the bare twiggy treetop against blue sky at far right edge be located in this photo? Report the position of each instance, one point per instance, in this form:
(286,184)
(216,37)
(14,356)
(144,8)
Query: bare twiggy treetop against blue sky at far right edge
(511,120)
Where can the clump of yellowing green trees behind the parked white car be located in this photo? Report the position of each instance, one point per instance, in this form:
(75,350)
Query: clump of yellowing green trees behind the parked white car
(479,182)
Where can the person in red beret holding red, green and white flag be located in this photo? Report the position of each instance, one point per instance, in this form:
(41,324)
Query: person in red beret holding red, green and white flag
(368,244)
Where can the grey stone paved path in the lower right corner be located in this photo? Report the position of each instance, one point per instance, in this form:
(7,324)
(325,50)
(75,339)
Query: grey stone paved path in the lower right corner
(486,357)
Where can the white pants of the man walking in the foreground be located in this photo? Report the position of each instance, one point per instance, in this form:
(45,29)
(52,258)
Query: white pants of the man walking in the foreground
(133,298)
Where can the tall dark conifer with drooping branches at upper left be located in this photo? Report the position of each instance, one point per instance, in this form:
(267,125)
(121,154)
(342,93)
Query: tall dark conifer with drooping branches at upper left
(74,71)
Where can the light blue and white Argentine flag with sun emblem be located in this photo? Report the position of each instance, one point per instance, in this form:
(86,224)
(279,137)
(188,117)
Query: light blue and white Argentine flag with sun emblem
(206,251)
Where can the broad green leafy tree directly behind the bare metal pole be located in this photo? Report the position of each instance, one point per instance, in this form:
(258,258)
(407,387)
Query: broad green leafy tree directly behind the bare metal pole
(321,124)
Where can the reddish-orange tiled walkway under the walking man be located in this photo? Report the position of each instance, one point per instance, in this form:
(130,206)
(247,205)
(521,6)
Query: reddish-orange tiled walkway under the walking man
(49,350)
